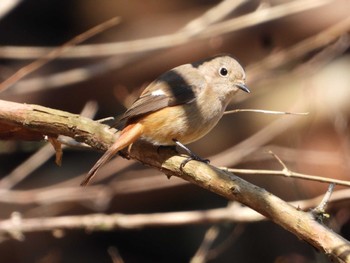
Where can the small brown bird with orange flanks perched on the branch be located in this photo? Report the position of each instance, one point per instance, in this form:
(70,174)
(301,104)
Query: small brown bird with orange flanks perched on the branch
(179,107)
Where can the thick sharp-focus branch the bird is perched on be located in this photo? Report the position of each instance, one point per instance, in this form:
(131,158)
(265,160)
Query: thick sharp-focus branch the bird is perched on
(37,121)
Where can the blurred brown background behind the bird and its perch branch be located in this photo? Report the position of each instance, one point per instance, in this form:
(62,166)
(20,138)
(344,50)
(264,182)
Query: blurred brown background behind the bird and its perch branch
(296,54)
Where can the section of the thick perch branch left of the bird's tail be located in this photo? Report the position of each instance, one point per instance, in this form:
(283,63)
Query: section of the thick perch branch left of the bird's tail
(34,122)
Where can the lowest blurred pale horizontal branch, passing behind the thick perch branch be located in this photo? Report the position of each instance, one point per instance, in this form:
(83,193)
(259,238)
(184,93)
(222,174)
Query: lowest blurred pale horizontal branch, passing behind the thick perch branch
(235,213)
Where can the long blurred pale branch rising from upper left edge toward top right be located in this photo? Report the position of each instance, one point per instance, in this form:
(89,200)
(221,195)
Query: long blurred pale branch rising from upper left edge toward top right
(170,40)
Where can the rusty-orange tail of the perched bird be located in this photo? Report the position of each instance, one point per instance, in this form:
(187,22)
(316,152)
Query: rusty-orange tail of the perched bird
(128,135)
